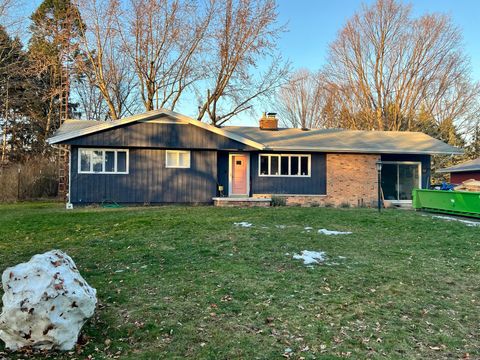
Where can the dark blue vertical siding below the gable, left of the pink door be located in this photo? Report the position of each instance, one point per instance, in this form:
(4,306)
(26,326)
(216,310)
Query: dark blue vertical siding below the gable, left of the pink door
(148,180)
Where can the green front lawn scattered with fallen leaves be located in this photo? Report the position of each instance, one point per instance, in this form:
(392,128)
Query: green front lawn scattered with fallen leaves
(195,286)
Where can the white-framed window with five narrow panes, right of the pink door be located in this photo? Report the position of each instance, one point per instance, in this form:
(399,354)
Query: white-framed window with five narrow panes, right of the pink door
(284,165)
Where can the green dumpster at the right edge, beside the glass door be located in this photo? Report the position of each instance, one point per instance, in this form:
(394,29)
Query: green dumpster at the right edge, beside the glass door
(463,203)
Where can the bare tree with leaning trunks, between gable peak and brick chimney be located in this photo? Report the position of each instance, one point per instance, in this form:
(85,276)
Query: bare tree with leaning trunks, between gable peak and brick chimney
(243,34)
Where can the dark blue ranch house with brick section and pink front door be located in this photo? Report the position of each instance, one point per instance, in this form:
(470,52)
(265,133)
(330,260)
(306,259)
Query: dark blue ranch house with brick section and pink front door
(165,157)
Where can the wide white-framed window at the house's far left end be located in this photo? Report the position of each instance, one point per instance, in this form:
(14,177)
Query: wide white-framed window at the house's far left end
(102,161)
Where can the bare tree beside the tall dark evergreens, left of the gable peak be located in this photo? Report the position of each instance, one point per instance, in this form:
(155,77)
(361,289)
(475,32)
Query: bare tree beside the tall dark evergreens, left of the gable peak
(106,66)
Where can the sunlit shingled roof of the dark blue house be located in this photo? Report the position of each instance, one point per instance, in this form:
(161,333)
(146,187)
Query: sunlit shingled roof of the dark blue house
(319,140)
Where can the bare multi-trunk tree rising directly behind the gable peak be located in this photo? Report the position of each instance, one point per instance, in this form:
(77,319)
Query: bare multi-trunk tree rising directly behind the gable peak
(164,40)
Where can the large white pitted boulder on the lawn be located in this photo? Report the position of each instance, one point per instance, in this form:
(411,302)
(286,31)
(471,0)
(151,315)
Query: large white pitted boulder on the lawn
(45,304)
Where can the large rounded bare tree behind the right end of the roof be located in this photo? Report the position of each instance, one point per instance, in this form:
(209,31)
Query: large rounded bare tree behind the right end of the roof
(385,65)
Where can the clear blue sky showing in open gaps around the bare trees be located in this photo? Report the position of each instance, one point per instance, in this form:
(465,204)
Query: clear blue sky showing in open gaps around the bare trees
(313,24)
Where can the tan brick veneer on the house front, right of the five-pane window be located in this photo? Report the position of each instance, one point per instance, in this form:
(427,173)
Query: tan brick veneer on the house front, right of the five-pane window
(351,179)
